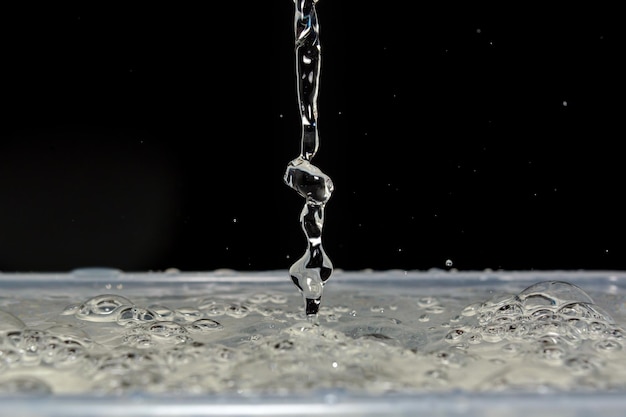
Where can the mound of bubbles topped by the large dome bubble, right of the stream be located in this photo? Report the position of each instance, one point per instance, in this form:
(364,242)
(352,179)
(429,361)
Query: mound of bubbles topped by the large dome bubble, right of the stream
(553,331)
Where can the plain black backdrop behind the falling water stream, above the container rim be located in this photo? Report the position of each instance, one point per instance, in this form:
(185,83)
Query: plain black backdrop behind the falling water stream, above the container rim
(148,137)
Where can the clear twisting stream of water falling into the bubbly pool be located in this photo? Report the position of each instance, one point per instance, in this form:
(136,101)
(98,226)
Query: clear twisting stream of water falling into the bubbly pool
(313,269)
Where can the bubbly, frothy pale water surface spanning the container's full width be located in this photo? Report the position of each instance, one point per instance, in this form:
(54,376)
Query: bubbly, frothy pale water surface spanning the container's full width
(551,336)
